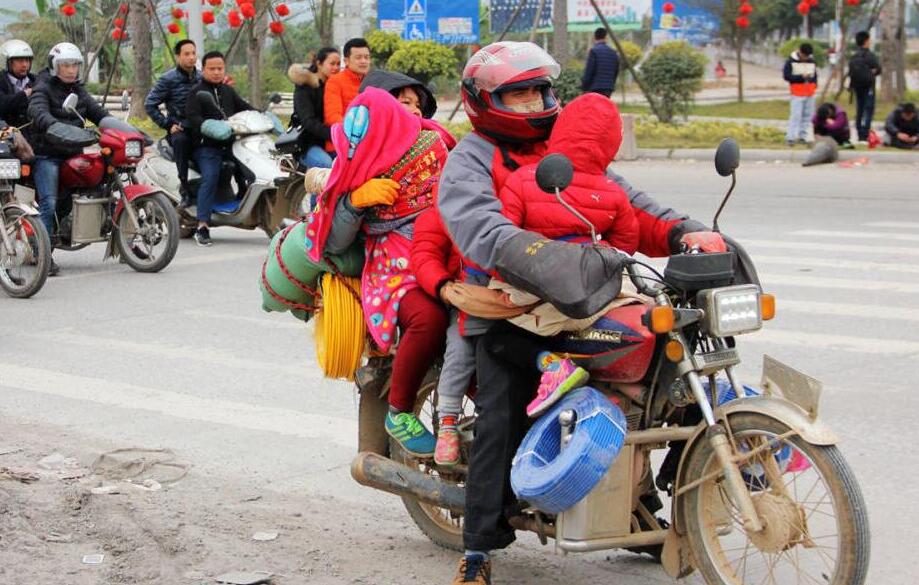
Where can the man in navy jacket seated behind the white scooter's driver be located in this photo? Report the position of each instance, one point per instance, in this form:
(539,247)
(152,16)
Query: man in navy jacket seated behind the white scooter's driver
(172,89)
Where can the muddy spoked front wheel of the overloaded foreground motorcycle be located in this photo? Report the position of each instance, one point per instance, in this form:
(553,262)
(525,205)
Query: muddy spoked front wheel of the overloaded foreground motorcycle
(816,524)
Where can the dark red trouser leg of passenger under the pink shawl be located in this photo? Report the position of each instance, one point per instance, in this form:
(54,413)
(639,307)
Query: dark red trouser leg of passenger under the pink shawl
(423,327)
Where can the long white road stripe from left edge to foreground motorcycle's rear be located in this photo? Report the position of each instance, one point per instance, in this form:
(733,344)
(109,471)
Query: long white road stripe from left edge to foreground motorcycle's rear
(294,423)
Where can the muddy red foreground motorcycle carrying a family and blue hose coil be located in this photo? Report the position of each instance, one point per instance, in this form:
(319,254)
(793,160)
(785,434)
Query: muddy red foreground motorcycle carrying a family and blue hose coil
(759,492)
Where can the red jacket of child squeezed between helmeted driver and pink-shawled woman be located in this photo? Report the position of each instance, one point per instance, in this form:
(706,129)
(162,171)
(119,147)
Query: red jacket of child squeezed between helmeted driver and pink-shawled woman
(435,259)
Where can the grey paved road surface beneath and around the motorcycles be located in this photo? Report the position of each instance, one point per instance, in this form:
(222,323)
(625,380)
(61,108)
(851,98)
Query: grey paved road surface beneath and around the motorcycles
(106,358)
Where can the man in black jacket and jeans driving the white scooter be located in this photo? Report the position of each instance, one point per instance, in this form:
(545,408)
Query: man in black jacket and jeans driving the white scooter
(214,136)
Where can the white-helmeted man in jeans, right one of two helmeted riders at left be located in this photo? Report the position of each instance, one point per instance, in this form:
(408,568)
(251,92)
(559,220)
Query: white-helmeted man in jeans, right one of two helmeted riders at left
(46,108)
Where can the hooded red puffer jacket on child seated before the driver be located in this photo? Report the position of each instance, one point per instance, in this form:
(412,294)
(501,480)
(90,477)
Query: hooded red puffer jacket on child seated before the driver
(589,132)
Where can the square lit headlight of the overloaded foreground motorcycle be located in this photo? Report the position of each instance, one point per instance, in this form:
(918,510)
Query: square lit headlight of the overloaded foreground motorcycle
(731,310)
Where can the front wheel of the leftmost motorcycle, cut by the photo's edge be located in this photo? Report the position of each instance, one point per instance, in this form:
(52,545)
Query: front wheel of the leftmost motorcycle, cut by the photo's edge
(24,270)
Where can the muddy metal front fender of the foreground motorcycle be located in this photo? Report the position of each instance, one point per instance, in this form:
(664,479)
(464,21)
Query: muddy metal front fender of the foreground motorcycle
(784,411)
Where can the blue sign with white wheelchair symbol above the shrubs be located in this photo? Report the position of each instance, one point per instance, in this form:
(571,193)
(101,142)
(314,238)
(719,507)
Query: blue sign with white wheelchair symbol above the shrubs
(449,22)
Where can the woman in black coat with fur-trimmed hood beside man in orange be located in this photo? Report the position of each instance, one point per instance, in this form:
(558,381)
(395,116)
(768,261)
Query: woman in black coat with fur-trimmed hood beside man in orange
(310,87)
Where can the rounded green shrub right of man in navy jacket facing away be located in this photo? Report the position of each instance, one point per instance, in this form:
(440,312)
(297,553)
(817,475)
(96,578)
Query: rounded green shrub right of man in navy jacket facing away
(673,74)
